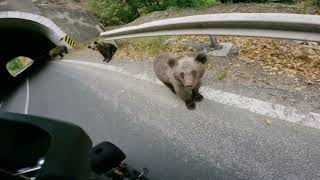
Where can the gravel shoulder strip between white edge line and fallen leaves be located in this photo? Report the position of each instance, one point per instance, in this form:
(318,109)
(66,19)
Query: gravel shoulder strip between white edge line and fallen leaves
(242,77)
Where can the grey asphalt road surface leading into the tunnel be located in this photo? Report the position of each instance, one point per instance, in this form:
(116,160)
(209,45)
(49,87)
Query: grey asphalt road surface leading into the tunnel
(156,131)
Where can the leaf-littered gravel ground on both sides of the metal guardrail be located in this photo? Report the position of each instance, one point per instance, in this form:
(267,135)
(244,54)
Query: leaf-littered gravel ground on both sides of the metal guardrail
(280,71)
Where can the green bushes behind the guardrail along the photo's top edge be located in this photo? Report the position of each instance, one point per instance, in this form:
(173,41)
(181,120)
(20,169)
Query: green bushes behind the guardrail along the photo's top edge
(118,12)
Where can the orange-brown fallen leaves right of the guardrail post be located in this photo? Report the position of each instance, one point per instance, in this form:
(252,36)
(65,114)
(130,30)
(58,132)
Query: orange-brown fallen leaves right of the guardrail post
(281,56)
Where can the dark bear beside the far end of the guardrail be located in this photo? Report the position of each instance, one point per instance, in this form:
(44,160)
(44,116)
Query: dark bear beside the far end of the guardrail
(107,50)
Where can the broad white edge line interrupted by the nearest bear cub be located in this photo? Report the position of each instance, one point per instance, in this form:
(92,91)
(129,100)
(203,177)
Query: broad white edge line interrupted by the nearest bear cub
(277,111)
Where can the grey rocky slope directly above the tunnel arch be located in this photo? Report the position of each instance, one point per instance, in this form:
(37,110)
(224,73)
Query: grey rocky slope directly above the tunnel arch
(69,15)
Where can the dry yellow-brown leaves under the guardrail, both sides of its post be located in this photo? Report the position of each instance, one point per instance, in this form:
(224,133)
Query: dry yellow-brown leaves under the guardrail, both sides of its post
(277,57)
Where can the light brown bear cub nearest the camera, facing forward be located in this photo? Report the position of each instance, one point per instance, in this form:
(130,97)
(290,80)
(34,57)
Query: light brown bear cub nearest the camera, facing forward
(182,75)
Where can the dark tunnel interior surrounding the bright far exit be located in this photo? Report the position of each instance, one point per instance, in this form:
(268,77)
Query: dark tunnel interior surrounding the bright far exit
(21,37)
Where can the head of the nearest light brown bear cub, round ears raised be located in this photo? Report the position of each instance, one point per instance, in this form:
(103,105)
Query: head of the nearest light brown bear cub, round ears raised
(188,71)
